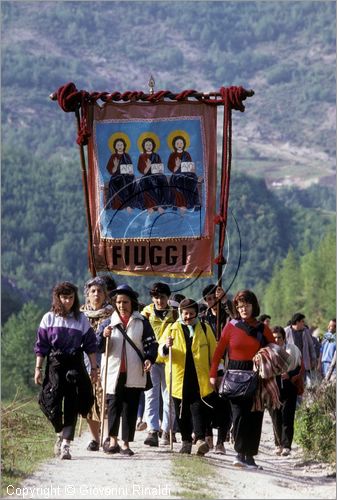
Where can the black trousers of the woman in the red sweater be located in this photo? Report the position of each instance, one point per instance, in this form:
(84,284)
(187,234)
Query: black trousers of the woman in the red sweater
(247,427)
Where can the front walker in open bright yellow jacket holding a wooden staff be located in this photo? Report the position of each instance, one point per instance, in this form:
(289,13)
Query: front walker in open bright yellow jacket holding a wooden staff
(193,345)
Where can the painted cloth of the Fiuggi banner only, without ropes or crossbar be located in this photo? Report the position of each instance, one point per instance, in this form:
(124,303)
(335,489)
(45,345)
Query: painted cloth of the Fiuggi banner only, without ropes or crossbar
(152,187)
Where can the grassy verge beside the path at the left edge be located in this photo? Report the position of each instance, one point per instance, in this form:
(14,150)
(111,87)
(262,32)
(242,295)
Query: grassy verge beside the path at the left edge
(27,439)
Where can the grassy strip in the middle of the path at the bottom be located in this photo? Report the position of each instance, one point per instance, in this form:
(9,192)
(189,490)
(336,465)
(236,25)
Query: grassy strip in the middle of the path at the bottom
(194,475)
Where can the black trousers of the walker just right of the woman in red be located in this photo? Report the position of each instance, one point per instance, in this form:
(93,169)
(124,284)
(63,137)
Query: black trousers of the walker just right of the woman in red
(283,418)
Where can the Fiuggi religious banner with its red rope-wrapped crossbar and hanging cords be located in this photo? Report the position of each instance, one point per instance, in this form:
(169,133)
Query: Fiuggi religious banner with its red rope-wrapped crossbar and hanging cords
(151,184)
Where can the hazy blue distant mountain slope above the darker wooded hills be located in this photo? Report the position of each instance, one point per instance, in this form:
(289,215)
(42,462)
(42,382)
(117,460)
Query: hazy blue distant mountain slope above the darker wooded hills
(285,51)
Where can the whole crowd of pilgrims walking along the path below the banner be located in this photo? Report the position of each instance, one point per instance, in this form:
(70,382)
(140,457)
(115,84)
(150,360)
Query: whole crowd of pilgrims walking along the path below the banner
(162,367)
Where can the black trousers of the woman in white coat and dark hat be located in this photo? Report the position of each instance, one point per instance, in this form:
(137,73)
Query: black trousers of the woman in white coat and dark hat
(124,403)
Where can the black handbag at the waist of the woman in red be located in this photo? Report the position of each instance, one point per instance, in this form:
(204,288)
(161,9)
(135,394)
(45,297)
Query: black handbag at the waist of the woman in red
(238,384)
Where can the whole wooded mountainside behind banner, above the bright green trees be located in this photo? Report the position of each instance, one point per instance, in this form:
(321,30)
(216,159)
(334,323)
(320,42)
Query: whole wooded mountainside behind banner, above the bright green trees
(285,51)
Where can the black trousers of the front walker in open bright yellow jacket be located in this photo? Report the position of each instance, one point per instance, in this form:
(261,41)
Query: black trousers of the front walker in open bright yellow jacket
(192,416)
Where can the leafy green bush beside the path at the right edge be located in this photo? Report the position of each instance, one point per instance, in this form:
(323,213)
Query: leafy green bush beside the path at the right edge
(315,423)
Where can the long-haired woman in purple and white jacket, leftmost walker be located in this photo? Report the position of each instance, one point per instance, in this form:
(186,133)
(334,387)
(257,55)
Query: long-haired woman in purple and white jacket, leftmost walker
(62,337)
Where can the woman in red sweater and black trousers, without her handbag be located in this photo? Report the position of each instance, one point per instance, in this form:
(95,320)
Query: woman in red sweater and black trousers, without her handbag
(243,337)
